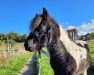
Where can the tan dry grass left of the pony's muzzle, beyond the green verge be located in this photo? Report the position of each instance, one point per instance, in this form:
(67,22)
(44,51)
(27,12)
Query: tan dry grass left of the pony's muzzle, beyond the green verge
(8,55)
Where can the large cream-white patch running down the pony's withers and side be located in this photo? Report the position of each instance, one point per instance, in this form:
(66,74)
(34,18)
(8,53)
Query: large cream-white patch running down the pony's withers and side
(75,50)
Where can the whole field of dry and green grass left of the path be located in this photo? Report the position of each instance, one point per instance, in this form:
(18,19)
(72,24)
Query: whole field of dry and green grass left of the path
(12,61)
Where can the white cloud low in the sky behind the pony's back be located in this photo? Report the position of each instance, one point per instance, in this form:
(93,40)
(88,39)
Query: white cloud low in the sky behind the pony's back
(84,28)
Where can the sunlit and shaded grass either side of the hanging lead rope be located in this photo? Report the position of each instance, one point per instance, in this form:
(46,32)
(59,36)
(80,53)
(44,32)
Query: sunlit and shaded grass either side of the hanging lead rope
(45,65)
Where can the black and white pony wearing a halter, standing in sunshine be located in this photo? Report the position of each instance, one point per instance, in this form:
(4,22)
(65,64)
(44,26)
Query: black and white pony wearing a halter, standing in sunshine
(66,57)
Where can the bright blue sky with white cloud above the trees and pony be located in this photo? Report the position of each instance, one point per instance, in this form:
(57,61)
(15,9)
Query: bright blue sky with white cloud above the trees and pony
(15,15)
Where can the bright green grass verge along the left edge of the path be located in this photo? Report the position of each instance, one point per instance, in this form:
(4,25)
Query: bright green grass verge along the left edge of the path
(14,66)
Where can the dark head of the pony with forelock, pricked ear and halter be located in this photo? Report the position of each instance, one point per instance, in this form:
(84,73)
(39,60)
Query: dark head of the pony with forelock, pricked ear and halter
(42,29)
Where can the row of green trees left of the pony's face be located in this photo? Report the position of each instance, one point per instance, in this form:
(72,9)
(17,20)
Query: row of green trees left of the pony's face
(14,36)
